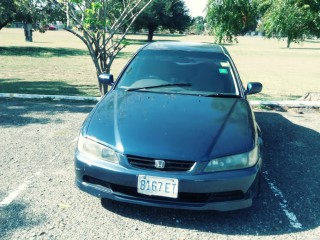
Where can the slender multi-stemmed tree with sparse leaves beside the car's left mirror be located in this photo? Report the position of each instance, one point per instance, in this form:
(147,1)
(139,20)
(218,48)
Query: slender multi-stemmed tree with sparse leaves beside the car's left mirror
(102,26)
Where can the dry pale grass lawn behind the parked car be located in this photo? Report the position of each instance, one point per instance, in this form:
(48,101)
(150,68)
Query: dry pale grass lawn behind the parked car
(58,63)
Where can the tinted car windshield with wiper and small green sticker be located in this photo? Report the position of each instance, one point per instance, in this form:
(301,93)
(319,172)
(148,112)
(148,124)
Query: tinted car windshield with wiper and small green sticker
(179,71)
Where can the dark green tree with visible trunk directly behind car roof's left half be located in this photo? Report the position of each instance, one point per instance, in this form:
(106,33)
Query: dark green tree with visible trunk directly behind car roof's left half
(168,14)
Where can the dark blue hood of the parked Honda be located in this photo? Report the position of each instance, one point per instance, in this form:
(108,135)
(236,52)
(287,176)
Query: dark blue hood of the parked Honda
(172,126)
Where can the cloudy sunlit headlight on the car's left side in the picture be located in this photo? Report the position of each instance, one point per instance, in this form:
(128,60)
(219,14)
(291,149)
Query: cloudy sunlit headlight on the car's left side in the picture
(96,150)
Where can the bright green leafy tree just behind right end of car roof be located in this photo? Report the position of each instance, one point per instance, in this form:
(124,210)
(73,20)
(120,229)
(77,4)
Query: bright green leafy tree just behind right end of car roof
(229,18)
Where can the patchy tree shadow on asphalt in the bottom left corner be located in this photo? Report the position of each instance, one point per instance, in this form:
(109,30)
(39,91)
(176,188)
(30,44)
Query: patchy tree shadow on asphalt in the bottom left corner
(14,217)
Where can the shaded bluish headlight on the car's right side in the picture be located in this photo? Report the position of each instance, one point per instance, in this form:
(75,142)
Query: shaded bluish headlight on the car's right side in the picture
(239,161)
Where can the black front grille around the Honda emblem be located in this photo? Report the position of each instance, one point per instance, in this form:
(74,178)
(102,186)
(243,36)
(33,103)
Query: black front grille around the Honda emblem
(170,165)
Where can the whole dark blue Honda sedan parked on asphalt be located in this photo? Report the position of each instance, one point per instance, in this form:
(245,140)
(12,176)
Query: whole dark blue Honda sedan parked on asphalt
(175,130)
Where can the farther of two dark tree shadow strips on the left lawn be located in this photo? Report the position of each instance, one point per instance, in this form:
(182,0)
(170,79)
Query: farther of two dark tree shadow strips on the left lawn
(43,52)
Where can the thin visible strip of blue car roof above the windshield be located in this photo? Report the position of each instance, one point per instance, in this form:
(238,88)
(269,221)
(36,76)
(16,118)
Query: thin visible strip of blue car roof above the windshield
(186,46)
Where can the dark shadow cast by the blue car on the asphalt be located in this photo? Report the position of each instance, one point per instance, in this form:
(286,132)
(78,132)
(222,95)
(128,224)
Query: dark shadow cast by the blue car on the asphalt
(291,160)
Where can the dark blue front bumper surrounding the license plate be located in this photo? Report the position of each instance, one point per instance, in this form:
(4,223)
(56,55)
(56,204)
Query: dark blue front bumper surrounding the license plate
(222,191)
